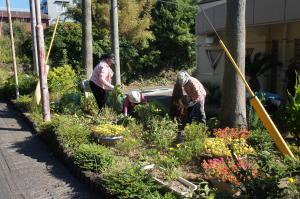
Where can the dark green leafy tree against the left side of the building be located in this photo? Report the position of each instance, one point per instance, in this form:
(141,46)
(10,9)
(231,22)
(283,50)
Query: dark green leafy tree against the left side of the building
(174,29)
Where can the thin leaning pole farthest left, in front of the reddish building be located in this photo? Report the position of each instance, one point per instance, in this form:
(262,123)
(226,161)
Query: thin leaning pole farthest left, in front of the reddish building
(11,32)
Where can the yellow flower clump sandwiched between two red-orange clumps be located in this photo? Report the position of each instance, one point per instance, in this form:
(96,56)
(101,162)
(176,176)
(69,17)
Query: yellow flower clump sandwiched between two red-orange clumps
(219,146)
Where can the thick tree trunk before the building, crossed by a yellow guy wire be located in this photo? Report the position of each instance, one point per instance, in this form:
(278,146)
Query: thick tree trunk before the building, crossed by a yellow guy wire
(233,106)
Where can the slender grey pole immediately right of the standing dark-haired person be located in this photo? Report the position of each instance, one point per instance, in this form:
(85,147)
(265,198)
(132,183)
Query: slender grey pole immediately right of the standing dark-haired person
(115,38)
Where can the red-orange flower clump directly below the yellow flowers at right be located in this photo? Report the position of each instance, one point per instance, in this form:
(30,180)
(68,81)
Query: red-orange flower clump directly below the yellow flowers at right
(226,169)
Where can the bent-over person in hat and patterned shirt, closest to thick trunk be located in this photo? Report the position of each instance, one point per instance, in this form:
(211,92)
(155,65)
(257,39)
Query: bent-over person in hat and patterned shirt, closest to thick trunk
(196,93)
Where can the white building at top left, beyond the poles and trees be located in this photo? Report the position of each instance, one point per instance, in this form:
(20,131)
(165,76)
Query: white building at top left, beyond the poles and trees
(55,8)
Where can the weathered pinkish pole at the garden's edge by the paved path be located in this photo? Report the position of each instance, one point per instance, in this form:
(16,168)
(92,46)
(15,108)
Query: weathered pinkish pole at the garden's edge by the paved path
(42,65)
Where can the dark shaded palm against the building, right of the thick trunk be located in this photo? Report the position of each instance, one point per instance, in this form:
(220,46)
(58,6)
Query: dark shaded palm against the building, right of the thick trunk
(258,66)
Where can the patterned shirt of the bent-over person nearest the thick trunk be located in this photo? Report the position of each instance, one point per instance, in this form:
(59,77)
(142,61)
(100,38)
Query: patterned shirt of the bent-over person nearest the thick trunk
(195,90)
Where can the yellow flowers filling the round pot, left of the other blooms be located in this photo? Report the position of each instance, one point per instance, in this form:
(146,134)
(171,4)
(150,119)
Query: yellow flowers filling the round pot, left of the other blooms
(108,130)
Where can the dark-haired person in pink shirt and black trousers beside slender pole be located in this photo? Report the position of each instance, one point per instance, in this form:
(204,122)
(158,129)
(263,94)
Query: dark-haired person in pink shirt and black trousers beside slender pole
(100,81)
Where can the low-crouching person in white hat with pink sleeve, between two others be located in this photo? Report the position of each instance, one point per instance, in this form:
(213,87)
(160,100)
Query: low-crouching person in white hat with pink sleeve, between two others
(132,99)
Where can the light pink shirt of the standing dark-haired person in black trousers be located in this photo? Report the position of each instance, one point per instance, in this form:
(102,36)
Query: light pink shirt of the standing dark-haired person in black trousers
(102,76)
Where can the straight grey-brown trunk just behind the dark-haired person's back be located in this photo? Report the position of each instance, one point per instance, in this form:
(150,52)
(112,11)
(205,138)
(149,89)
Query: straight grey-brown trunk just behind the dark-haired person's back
(87,39)
